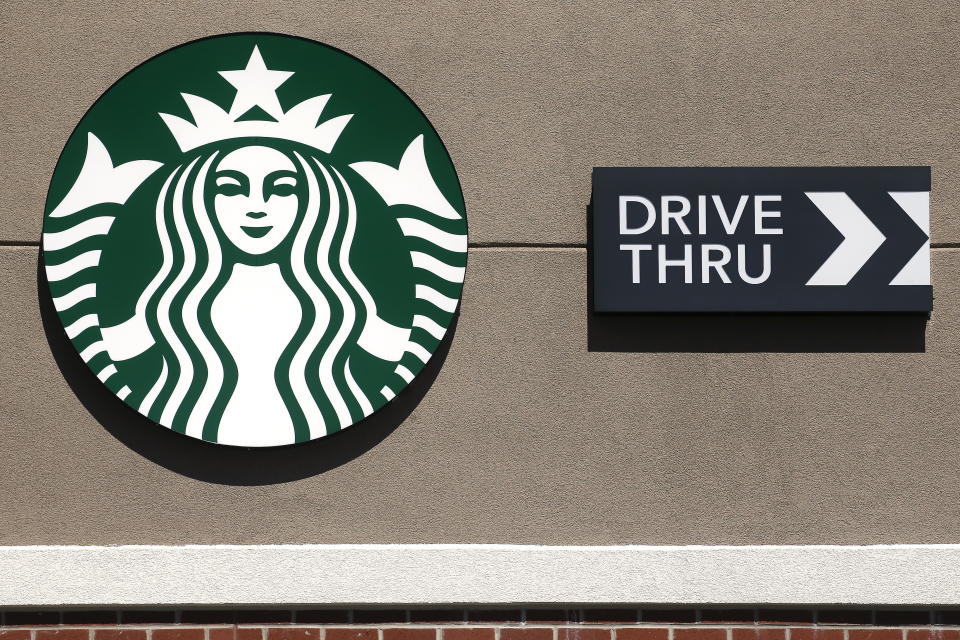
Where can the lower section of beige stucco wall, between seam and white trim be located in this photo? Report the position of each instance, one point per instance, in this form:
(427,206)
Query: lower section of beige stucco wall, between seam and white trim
(528,437)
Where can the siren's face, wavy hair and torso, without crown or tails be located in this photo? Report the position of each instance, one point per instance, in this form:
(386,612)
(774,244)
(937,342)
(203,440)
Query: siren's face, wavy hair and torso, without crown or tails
(260,262)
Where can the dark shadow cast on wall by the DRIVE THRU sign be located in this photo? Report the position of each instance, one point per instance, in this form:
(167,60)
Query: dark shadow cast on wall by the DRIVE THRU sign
(750,332)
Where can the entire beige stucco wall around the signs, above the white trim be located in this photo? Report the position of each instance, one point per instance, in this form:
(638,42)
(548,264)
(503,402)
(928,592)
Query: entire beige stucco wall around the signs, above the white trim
(526,435)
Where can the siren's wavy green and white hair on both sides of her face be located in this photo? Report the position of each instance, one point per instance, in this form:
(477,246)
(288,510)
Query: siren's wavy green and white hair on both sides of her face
(198,374)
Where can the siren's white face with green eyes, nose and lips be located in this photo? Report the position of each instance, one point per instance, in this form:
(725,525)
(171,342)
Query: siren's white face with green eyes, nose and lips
(256,199)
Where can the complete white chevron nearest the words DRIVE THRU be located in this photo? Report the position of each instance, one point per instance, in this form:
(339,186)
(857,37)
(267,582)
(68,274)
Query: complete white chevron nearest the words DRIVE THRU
(861,238)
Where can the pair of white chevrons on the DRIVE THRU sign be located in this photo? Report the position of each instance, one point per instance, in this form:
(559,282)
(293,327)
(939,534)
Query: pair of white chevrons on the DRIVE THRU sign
(861,238)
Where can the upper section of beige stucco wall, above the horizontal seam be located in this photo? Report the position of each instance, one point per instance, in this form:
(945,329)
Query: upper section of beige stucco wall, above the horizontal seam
(529,97)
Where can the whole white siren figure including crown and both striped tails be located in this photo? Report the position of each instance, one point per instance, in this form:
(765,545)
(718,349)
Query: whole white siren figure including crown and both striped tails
(255,314)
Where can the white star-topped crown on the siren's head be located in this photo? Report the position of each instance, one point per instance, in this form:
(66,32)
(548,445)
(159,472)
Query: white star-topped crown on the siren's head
(256,87)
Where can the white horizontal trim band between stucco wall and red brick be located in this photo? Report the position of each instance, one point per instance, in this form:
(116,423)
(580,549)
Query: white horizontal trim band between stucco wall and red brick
(448,574)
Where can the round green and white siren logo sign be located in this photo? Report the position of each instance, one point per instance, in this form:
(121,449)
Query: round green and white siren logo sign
(255,239)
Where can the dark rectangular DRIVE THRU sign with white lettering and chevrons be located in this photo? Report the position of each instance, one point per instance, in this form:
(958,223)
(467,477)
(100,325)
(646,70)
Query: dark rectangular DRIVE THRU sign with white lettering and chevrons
(686,239)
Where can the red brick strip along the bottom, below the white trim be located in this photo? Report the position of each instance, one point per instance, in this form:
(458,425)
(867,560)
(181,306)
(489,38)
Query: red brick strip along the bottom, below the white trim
(482,624)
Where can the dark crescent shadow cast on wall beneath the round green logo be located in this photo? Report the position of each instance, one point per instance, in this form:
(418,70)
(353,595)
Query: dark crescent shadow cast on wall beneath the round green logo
(222,464)
